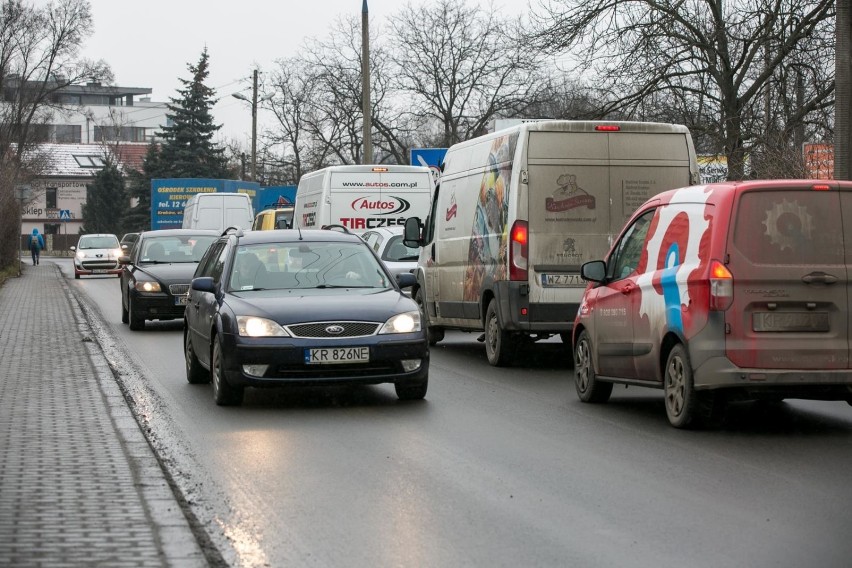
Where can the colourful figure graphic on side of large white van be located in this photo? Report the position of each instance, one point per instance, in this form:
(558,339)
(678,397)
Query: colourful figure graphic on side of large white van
(489,235)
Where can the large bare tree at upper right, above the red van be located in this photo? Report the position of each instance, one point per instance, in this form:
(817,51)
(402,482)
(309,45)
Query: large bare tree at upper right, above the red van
(721,60)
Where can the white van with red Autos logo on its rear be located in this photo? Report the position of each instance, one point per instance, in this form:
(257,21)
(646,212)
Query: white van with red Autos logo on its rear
(362,197)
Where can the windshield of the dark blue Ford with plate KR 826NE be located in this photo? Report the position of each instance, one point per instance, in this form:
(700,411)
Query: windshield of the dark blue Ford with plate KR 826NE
(300,265)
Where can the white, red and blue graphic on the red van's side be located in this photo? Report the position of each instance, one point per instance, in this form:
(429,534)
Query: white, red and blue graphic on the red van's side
(674,248)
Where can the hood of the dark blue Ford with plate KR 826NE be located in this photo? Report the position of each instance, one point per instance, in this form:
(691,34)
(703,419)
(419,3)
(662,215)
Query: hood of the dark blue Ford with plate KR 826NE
(340,304)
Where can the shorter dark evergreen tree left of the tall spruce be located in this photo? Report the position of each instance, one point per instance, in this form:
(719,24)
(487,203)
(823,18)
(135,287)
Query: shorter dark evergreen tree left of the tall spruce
(106,201)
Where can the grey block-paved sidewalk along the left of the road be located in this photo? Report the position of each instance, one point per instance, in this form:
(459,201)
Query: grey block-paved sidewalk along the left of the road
(79,483)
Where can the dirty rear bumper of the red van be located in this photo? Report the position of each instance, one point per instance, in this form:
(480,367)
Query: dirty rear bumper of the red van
(828,384)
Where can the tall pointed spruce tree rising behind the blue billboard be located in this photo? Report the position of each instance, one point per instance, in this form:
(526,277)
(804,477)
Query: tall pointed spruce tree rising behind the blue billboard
(188,148)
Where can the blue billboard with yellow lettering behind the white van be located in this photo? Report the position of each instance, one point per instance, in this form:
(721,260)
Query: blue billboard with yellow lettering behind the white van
(169,196)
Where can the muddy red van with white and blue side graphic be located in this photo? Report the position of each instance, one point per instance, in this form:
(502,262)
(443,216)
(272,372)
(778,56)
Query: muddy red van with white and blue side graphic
(728,291)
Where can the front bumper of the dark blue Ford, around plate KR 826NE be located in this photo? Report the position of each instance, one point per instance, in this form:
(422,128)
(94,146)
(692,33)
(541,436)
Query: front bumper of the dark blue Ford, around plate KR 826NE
(285,361)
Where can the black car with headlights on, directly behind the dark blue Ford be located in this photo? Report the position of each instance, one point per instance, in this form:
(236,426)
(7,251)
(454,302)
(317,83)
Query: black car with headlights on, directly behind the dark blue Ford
(156,274)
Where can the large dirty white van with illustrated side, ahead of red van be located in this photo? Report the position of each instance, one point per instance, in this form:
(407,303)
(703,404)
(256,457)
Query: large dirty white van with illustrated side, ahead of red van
(516,213)
